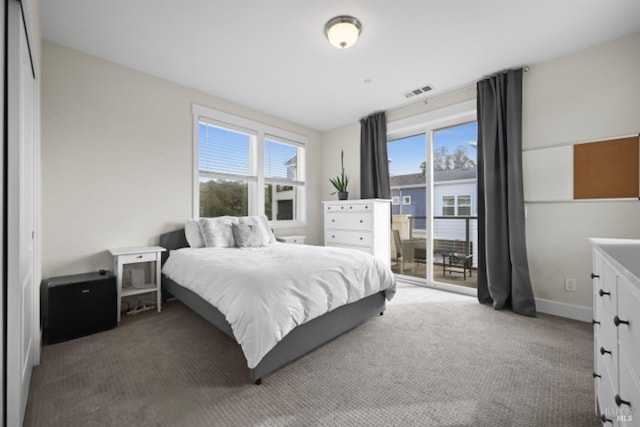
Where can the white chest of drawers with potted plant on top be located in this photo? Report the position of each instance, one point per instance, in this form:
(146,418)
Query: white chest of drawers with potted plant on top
(359,224)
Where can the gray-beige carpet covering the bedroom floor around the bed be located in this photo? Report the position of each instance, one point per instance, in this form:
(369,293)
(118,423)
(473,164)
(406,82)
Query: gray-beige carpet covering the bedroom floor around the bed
(433,359)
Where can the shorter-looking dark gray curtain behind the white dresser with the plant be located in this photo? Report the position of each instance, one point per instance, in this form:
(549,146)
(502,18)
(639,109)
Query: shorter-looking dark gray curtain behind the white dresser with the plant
(374,164)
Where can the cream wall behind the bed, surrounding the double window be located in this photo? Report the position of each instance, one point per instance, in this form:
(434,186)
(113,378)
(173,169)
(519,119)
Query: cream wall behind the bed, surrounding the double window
(117,159)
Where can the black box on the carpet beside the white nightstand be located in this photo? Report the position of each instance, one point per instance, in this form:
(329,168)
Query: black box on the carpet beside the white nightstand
(78,305)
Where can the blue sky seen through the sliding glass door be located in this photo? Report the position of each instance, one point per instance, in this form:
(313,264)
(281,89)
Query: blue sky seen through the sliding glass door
(407,154)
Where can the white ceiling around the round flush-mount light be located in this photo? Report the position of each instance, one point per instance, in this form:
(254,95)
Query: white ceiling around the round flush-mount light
(272,55)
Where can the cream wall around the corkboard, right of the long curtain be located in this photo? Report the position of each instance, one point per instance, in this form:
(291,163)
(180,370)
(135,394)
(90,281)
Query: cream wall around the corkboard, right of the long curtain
(588,95)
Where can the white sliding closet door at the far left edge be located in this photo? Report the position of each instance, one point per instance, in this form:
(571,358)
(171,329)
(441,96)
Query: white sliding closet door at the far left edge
(21,287)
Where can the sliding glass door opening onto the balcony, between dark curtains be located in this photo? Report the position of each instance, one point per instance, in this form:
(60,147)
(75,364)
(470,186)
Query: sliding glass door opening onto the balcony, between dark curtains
(434,205)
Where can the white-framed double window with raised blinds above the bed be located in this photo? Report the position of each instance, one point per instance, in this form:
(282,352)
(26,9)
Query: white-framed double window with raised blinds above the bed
(235,157)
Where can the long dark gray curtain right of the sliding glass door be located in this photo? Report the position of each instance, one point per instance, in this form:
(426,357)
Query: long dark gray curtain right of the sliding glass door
(503,269)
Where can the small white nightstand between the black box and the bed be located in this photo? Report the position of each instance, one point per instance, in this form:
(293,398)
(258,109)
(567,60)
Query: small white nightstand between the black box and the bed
(136,255)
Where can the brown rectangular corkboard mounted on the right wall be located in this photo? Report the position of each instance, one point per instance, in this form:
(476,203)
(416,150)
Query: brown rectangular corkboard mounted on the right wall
(607,169)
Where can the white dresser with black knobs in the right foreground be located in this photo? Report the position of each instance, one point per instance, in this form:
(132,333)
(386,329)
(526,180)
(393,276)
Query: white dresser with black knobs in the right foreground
(616,321)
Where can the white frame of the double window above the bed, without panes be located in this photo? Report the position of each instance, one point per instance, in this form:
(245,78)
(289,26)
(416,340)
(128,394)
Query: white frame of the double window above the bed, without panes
(256,179)
